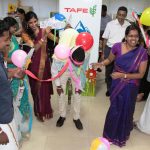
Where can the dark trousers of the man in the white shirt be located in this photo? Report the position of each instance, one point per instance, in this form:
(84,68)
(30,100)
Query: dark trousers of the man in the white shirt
(108,68)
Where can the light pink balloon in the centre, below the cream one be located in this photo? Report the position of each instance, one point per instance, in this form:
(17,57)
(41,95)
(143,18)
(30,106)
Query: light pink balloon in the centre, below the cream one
(62,51)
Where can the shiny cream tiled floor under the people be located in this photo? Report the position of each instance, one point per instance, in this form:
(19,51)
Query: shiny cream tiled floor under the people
(46,136)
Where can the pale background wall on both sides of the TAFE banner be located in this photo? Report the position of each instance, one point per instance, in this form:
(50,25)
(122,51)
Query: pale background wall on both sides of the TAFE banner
(43,7)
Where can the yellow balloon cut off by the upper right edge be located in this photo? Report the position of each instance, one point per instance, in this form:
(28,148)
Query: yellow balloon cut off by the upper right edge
(145,17)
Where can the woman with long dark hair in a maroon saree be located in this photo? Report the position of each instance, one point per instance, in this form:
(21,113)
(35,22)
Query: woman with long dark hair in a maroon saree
(40,66)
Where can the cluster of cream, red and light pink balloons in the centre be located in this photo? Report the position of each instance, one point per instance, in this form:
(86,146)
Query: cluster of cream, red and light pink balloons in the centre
(72,39)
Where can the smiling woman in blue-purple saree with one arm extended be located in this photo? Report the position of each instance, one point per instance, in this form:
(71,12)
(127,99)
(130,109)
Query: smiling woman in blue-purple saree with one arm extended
(130,64)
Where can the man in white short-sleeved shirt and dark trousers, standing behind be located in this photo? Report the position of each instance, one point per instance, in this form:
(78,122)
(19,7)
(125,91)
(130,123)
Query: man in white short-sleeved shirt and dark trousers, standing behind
(114,32)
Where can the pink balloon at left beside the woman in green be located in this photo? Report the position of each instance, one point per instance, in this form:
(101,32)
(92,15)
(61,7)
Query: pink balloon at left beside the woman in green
(18,58)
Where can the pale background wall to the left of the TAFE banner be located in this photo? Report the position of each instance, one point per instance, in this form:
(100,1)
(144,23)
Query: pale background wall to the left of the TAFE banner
(40,7)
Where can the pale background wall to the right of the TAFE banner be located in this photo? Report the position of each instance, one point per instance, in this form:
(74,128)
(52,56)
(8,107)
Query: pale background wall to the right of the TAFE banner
(136,5)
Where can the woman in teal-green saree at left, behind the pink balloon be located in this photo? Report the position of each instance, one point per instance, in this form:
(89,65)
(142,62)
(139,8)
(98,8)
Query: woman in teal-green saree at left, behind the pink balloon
(22,107)
